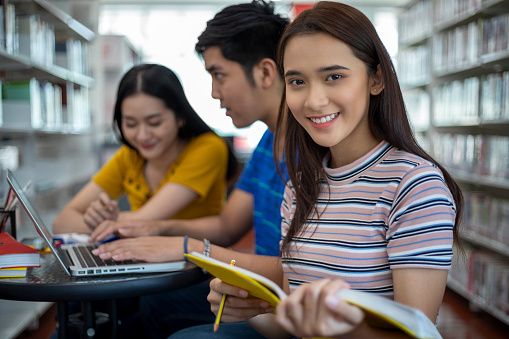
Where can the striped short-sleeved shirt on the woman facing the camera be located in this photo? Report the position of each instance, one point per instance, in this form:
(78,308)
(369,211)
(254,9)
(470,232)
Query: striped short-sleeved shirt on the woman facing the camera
(387,210)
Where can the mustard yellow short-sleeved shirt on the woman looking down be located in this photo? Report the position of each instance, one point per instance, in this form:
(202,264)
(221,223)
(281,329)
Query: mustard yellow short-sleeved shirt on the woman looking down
(201,167)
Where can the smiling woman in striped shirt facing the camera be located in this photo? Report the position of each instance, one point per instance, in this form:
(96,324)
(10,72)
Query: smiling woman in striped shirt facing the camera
(368,206)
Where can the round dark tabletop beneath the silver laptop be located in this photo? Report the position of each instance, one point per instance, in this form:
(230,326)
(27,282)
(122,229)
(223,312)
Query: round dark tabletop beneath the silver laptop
(49,282)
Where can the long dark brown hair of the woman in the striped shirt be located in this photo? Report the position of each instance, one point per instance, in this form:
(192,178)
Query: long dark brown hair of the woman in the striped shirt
(387,114)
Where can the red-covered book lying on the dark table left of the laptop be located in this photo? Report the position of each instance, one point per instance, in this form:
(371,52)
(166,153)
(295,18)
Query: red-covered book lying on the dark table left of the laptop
(15,254)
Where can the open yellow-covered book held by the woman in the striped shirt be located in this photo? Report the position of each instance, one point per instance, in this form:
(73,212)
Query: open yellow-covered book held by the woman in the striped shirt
(406,318)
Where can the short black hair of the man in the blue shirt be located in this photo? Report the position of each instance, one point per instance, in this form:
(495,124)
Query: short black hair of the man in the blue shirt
(245,33)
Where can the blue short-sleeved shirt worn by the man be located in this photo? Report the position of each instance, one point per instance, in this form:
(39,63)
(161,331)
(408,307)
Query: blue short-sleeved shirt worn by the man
(261,179)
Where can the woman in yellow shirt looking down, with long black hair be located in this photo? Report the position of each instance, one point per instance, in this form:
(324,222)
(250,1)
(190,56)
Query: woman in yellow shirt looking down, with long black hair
(171,164)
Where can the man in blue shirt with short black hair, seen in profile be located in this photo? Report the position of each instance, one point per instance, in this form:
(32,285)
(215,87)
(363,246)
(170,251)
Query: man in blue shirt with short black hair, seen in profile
(238,47)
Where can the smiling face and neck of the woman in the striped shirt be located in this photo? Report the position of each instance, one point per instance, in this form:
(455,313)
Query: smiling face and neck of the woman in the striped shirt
(327,91)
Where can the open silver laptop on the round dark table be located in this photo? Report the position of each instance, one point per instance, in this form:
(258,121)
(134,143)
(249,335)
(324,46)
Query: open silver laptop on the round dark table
(77,259)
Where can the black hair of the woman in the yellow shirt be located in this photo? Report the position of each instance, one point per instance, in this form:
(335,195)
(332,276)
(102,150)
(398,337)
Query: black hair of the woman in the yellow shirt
(160,82)
